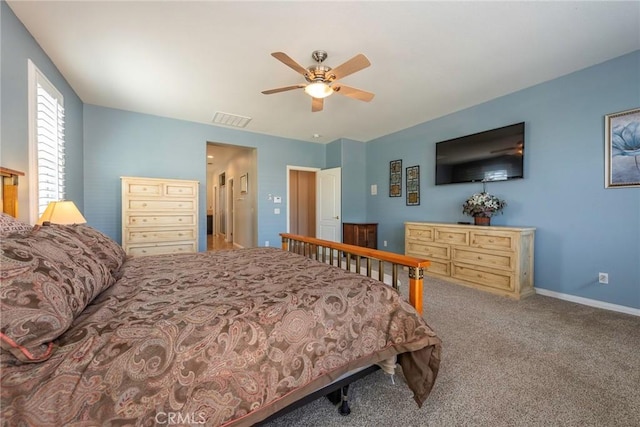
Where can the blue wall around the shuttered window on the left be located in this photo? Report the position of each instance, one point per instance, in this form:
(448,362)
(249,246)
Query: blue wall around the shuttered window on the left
(17,46)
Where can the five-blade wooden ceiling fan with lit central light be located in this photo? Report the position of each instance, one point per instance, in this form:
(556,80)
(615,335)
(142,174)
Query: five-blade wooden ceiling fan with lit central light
(322,79)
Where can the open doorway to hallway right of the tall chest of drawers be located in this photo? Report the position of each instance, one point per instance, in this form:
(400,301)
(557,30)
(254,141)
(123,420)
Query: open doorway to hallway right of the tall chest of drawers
(231,208)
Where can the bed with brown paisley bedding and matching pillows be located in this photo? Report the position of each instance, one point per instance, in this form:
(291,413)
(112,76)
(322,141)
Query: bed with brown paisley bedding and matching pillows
(230,338)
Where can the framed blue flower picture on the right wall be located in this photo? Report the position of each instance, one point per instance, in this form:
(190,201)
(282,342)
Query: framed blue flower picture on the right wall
(622,149)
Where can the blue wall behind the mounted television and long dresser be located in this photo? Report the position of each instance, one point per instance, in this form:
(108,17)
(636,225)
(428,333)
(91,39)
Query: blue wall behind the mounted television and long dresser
(582,228)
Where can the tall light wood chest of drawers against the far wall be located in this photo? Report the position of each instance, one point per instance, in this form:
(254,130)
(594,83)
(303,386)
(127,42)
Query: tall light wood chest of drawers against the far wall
(159,216)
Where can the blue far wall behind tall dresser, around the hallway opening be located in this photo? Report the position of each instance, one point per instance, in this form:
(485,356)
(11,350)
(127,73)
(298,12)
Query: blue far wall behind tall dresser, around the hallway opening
(121,143)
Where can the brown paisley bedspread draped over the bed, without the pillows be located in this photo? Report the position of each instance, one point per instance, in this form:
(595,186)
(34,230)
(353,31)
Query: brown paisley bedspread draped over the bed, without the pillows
(215,338)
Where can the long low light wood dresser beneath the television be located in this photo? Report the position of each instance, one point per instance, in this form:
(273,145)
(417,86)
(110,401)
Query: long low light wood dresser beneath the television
(494,259)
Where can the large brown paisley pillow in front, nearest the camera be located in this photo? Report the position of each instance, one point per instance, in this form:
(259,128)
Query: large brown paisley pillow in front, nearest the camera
(47,277)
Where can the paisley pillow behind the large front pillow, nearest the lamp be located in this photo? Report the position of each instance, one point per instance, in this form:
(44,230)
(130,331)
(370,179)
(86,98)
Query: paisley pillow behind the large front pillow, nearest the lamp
(105,249)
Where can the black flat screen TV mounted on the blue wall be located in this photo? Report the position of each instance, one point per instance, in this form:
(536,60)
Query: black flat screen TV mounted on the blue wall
(493,155)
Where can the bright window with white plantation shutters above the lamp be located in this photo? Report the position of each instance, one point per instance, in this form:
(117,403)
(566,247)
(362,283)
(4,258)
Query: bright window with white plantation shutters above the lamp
(46,143)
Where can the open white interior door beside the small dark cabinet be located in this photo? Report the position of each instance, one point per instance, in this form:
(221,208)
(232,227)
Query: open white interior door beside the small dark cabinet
(329,205)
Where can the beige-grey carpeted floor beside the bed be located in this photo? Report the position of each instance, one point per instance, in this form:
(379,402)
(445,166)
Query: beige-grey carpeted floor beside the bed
(536,362)
